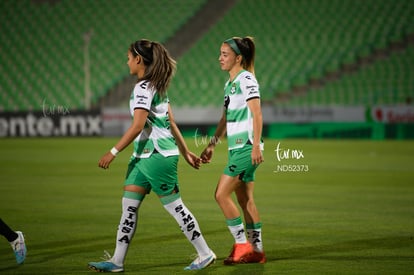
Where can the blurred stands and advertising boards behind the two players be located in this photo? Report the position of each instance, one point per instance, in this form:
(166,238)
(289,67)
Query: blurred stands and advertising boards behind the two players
(326,68)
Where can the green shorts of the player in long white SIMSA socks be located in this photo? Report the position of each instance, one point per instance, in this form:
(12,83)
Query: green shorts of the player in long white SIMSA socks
(157,173)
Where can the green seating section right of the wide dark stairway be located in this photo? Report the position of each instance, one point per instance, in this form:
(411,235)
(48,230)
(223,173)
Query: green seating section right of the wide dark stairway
(298,41)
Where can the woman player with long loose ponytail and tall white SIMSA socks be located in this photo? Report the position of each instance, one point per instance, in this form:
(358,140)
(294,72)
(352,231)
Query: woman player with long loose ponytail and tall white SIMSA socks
(153,165)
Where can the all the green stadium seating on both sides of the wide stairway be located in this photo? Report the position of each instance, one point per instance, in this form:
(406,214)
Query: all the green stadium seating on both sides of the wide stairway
(308,52)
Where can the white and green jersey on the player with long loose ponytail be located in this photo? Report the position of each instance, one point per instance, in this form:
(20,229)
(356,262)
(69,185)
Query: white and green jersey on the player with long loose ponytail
(156,134)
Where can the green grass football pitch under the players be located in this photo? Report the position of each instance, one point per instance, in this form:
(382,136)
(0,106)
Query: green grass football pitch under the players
(327,207)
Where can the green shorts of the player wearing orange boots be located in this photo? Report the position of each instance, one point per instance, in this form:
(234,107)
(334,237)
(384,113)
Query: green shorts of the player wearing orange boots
(240,164)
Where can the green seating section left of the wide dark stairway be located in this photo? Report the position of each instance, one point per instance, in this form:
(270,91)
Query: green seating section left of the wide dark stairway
(42,46)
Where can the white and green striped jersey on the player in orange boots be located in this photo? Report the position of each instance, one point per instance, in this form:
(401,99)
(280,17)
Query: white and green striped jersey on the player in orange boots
(238,116)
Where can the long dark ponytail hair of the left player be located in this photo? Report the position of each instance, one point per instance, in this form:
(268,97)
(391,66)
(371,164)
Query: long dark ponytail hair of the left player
(160,66)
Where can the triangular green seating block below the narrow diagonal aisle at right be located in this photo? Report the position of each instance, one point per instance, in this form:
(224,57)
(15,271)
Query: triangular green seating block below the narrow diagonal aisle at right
(386,81)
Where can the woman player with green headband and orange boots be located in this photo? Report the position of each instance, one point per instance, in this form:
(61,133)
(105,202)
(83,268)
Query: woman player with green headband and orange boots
(242,119)
